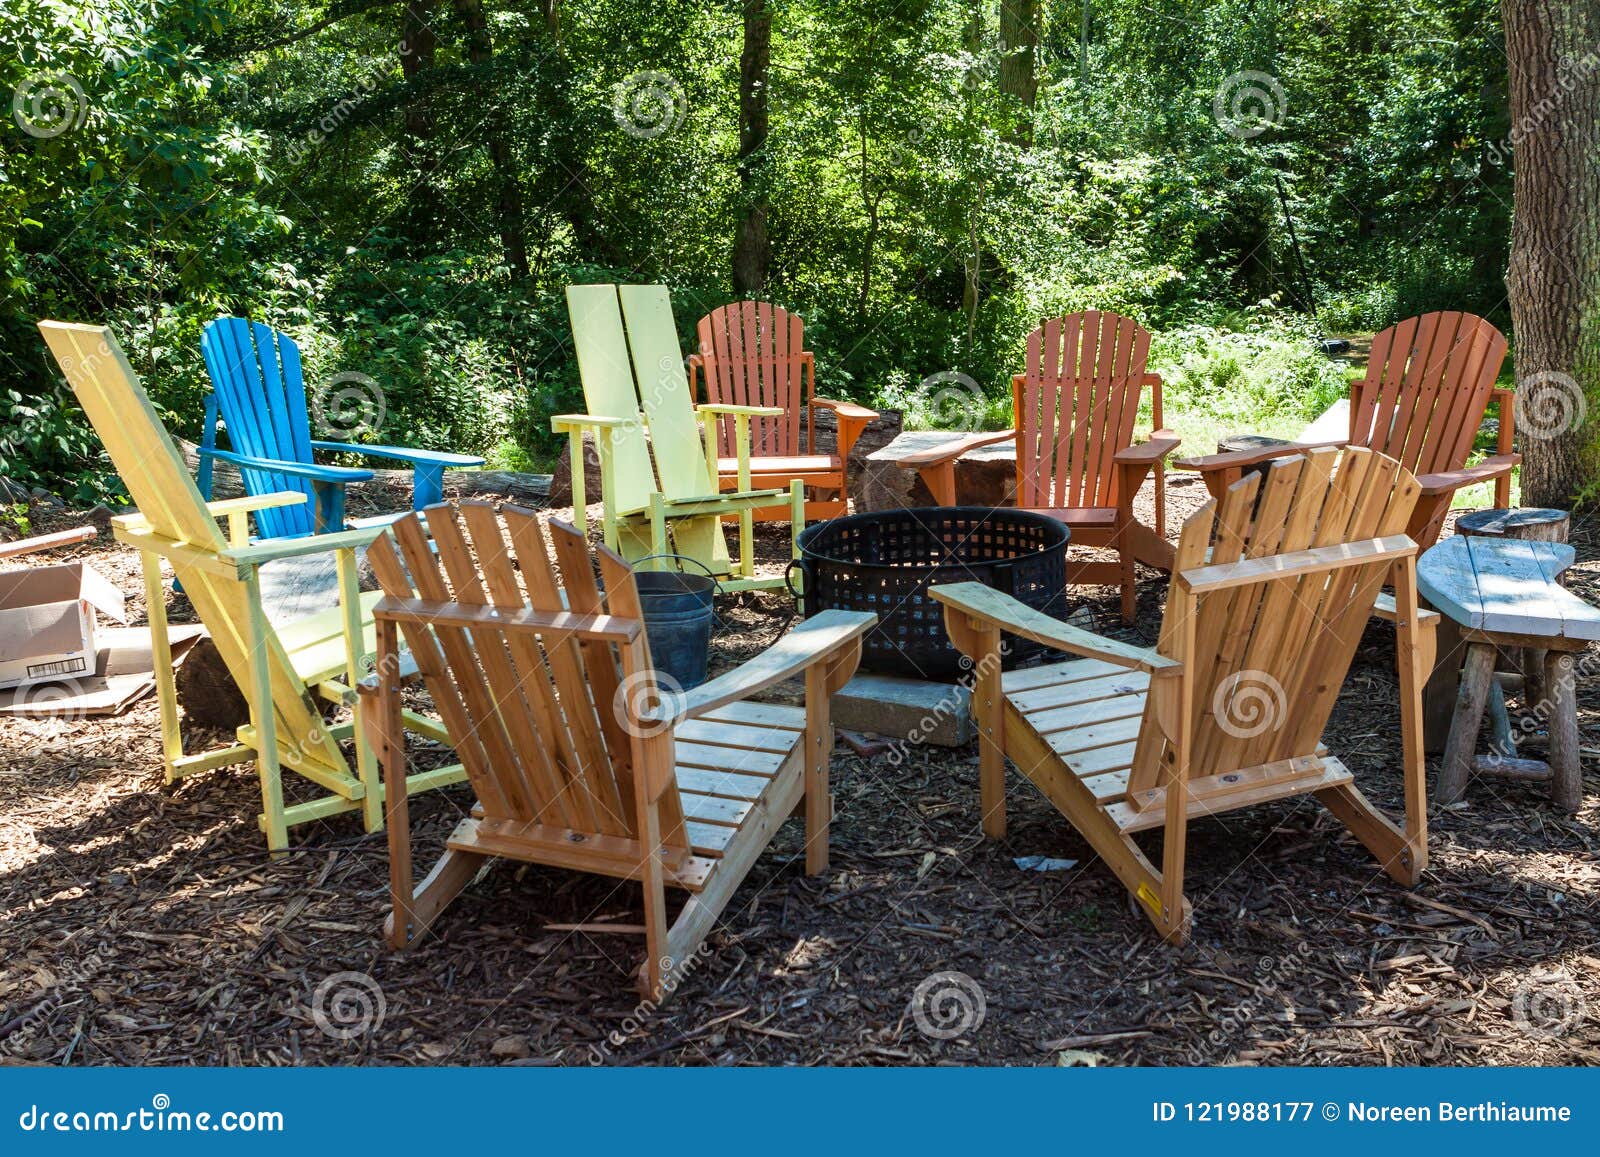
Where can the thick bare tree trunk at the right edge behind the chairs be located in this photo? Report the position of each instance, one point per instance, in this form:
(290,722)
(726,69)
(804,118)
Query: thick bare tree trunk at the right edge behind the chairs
(1554,278)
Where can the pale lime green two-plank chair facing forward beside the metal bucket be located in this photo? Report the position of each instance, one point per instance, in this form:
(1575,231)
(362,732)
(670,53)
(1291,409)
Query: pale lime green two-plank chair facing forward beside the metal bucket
(634,380)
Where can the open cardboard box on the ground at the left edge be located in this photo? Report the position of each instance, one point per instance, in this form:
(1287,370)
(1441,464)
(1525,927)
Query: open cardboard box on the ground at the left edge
(47,622)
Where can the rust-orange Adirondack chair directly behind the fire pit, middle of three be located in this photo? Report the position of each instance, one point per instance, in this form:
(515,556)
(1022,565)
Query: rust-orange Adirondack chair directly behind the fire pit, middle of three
(1076,458)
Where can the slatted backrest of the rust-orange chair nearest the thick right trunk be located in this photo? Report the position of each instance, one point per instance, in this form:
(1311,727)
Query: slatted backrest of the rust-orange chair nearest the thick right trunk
(1426,388)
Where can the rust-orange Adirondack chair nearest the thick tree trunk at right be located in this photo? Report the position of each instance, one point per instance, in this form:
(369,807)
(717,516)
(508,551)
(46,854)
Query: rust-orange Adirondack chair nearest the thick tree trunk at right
(1430,382)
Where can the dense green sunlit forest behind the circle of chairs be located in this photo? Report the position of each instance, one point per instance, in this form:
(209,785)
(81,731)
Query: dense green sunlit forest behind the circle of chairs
(409,185)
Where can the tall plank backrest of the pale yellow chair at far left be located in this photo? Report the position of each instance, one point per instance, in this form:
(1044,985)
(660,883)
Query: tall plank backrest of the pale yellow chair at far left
(158,479)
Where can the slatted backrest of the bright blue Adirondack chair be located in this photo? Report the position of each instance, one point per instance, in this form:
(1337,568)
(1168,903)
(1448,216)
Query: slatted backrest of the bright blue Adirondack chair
(262,393)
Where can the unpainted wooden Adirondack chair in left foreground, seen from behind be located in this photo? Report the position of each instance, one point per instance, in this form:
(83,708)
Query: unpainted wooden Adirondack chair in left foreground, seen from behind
(575,756)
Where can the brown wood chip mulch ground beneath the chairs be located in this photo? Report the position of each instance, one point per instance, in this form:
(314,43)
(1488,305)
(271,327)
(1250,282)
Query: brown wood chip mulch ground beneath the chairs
(143,924)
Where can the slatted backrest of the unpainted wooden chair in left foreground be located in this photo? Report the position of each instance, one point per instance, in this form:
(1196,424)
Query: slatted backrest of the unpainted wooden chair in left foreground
(534,715)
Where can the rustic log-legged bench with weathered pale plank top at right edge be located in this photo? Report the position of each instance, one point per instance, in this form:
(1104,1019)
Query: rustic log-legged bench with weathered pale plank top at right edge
(1505,595)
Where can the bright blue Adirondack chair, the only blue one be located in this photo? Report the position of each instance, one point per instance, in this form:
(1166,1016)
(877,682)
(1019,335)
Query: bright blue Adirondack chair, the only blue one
(260,393)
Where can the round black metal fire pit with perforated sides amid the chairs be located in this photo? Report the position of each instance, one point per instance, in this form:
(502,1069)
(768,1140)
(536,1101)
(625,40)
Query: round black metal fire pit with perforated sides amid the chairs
(886,564)
